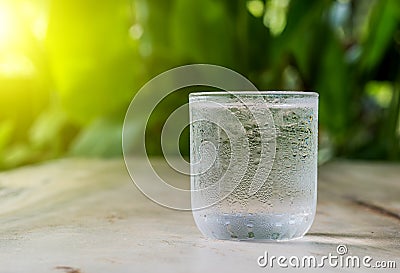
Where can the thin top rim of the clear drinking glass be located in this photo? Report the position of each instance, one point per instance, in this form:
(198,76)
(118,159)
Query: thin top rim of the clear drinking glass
(255,93)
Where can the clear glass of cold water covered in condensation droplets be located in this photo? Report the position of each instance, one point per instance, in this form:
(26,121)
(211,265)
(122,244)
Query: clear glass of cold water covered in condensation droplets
(254,163)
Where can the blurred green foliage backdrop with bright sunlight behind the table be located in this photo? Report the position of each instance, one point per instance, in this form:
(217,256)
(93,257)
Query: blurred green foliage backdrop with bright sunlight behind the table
(69,68)
